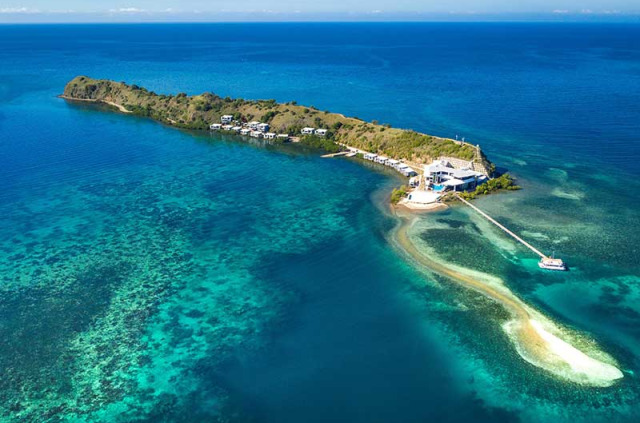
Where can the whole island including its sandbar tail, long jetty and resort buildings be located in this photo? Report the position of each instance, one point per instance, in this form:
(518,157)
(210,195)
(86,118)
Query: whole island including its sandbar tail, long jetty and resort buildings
(438,169)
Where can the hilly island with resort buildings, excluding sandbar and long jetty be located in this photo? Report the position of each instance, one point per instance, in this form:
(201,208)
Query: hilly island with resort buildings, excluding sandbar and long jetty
(434,165)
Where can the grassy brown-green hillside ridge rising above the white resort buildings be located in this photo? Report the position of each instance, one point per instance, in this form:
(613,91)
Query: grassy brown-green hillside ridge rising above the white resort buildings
(199,111)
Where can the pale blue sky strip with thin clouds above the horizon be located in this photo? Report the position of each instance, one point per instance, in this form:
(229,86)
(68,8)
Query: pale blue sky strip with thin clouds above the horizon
(296,10)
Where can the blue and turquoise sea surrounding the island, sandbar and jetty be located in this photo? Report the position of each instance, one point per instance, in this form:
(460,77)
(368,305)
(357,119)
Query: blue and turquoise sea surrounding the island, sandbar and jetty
(149,274)
